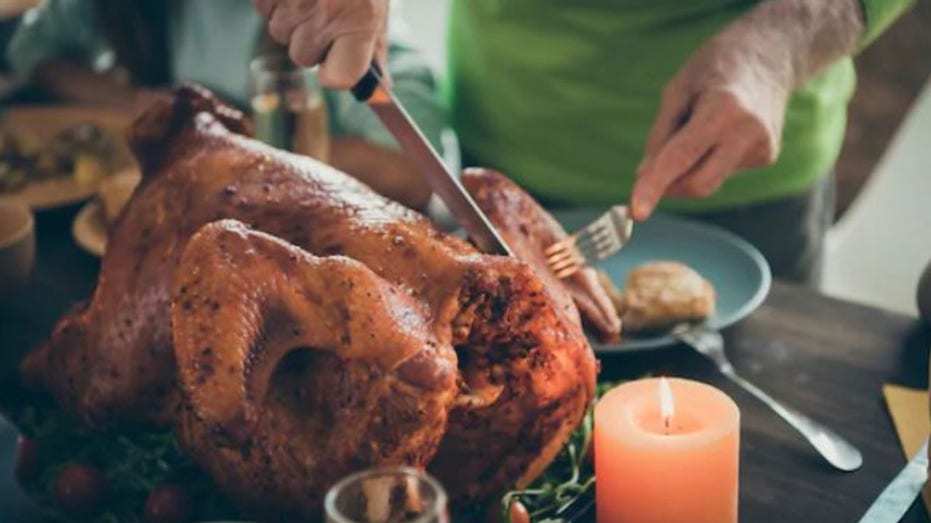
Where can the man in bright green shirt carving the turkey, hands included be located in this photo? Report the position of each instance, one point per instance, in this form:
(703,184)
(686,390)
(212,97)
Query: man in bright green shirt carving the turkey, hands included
(734,110)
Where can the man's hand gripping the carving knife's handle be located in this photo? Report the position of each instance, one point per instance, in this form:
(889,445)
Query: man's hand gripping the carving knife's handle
(341,35)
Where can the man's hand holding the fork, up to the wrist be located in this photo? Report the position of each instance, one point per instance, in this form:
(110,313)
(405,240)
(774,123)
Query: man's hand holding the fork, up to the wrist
(722,112)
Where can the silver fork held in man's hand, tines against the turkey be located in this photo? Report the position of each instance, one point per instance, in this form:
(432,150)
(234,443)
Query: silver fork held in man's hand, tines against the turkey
(598,240)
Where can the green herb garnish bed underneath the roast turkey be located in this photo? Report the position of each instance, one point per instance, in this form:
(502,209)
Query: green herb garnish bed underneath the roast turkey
(135,463)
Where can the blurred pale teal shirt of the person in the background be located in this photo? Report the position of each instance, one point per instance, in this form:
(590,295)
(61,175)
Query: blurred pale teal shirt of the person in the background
(212,43)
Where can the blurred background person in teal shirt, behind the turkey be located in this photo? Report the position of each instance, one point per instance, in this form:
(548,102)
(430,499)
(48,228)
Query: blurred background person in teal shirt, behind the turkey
(124,54)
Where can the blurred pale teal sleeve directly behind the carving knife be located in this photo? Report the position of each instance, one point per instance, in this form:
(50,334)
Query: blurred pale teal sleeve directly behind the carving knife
(414,84)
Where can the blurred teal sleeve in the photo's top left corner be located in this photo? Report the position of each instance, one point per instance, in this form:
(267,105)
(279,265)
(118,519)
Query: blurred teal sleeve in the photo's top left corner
(56,29)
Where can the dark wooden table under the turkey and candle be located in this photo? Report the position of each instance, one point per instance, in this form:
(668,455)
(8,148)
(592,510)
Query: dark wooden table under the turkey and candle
(828,358)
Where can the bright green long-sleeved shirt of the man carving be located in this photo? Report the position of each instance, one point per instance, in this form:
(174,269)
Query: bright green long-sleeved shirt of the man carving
(560,94)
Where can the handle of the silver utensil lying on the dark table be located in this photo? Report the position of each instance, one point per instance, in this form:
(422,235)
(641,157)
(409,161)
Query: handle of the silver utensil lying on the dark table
(837,450)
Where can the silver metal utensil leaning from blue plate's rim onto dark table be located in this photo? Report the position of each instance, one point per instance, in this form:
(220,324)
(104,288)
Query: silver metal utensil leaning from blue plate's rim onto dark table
(835,449)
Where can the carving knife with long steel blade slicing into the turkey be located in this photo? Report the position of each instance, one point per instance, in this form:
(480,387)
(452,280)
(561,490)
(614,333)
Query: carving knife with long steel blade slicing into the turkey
(372,90)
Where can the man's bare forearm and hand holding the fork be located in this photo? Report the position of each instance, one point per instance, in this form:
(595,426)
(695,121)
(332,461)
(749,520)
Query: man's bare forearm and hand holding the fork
(724,110)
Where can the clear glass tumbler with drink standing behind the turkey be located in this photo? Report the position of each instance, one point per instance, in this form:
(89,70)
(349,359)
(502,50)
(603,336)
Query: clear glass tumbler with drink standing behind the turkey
(288,106)
